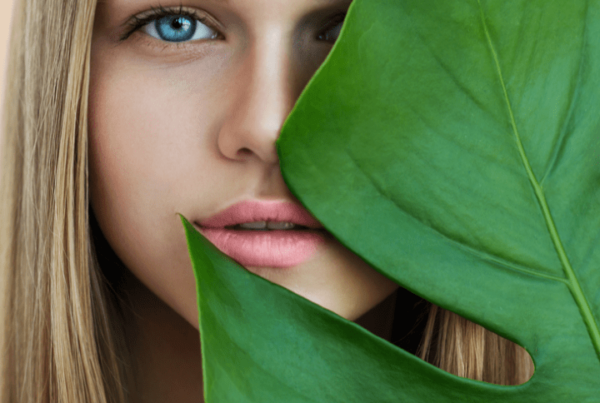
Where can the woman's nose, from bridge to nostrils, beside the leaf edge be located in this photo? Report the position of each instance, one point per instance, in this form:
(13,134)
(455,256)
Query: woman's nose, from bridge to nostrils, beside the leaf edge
(262,98)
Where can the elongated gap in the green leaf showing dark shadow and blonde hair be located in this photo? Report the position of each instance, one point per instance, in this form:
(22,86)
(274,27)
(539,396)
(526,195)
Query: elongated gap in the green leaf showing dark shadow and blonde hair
(447,340)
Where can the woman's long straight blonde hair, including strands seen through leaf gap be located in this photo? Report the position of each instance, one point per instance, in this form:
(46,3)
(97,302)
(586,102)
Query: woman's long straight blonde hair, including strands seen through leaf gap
(60,335)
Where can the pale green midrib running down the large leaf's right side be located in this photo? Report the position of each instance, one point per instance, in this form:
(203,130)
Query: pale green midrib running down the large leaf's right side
(573,282)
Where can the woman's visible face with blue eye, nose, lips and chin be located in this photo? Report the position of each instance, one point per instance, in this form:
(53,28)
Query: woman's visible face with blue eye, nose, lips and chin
(184,114)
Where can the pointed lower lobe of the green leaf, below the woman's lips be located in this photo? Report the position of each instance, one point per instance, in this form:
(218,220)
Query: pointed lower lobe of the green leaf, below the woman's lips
(263,343)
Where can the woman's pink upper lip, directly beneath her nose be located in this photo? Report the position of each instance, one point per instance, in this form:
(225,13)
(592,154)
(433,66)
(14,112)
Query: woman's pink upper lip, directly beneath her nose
(258,210)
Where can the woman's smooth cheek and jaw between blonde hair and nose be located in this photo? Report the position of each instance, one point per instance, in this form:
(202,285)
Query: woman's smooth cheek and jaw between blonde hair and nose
(149,141)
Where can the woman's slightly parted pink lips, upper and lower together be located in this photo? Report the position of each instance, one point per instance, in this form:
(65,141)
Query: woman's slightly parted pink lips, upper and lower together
(277,248)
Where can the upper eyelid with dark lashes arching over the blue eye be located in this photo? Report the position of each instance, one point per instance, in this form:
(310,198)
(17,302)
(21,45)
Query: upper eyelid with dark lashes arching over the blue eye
(138,21)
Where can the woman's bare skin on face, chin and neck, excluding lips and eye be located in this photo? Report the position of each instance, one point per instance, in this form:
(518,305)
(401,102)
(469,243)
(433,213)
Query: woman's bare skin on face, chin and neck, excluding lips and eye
(190,128)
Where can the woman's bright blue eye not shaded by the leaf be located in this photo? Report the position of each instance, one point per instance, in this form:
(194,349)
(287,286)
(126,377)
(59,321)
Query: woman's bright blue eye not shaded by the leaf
(179,28)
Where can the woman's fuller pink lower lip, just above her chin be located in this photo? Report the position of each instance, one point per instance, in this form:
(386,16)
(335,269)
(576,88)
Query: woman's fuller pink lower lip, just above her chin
(278,248)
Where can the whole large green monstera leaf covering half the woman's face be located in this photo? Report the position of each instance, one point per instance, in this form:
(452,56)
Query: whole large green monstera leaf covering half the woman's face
(455,146)
